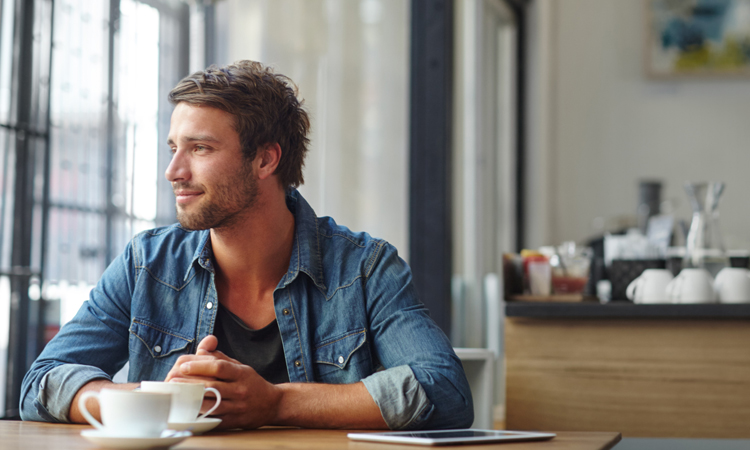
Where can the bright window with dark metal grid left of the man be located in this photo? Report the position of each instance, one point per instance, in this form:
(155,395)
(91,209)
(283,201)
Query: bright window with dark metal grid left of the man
(83,154)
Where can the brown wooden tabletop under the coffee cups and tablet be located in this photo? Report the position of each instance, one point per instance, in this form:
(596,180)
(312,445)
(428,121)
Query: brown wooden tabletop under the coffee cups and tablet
(16,435)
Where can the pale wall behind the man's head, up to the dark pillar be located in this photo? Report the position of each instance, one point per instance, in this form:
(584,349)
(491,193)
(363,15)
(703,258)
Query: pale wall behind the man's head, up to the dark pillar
(350,60)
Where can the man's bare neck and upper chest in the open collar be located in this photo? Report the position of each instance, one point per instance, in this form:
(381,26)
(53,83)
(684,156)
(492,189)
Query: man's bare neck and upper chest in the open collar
(253,255)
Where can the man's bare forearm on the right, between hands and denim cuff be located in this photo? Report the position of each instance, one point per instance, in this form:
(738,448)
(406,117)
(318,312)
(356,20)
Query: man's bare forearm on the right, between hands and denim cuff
(312,405)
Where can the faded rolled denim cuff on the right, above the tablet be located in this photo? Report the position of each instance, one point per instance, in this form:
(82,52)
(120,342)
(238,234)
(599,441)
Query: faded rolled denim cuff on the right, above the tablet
(400,397)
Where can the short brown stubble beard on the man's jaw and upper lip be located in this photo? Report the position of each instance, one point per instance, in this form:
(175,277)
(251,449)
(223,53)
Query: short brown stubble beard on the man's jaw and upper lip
(224,205)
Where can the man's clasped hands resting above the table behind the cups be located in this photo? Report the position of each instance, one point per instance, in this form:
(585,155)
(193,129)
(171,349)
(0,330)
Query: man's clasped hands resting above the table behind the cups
(247,400)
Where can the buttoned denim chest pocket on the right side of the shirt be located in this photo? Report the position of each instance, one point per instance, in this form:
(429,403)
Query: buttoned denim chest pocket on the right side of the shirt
(340,359)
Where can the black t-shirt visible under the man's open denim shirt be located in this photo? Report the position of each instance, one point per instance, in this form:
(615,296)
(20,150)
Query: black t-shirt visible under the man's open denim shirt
(260,349)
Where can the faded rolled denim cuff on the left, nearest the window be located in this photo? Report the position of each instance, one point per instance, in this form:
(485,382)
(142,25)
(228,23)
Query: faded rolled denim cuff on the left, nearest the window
(59,386)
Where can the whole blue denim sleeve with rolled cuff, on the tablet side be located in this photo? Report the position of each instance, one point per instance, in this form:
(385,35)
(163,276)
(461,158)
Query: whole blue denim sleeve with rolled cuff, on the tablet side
(424,385)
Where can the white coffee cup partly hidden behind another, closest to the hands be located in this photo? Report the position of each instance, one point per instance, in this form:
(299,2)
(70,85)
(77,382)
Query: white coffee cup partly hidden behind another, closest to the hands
(187,399)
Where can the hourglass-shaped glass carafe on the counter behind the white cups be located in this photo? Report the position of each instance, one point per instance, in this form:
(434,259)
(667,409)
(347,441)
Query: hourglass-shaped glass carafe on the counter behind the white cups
(704,246)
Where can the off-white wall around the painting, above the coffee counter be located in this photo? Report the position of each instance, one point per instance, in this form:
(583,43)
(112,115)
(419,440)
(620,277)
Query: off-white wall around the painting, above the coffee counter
(597,125)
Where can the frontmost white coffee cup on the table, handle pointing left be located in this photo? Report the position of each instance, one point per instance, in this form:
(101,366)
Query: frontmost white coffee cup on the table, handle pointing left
(128,413)
